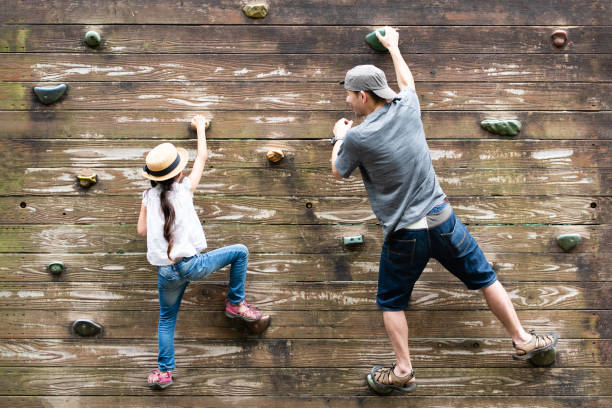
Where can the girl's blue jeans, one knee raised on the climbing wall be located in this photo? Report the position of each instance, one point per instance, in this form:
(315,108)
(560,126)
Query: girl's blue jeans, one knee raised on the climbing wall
(173,279)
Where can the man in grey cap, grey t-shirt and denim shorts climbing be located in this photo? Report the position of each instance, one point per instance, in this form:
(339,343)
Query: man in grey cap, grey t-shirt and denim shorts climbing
(390,149)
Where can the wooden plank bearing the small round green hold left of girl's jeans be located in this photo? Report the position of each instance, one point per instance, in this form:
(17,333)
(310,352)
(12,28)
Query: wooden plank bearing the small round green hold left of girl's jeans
(522,267)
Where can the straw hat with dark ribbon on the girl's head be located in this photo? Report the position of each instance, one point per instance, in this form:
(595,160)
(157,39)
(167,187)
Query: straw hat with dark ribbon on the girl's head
(164,162)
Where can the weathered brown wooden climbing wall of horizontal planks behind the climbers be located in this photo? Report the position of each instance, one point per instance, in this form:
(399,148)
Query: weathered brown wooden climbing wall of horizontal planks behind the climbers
(273,83)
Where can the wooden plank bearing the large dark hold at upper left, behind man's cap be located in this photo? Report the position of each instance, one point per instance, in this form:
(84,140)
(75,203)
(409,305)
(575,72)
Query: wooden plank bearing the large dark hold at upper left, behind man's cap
(306,96)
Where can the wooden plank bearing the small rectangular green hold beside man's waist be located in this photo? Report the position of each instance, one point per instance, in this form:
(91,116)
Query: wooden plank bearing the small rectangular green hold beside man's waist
(308,239)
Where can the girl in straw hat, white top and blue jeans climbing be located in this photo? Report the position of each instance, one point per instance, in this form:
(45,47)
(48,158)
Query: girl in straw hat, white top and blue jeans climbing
(175,239)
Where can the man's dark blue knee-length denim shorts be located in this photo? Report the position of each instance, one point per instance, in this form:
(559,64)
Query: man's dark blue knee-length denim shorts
(406,252)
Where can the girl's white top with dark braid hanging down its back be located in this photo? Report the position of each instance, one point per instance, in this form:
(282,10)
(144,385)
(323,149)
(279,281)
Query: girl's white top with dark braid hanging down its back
(188,234)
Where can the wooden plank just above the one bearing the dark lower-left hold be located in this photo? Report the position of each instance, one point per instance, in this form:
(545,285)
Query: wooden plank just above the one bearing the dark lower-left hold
(207,295)
